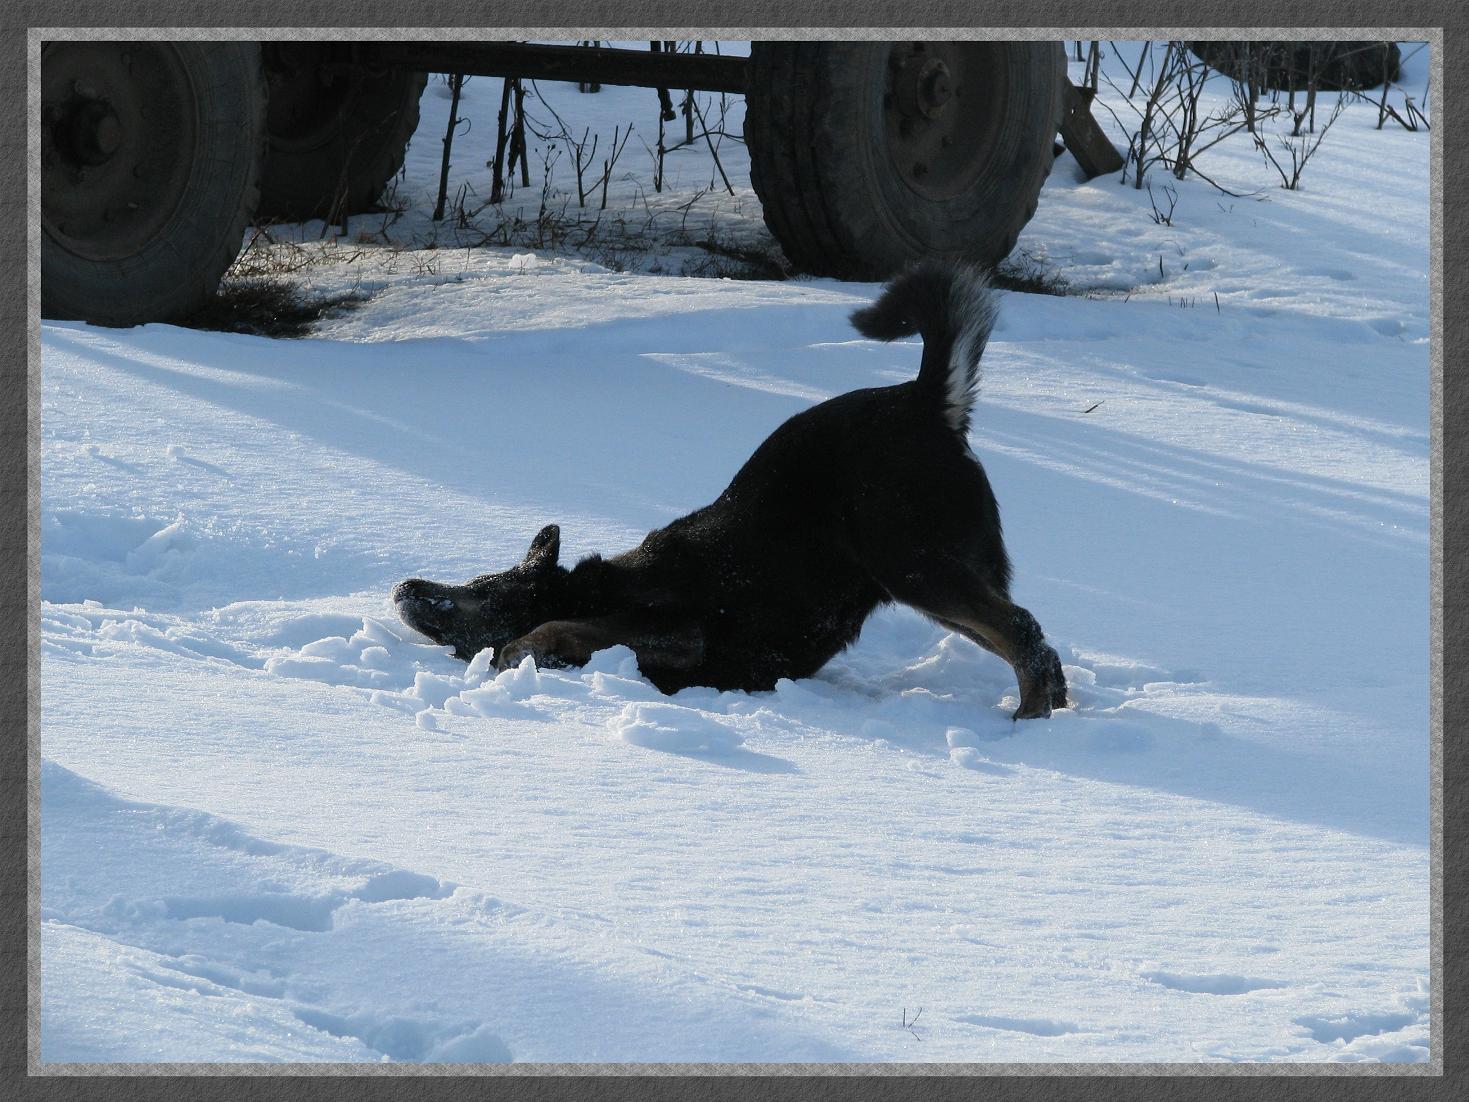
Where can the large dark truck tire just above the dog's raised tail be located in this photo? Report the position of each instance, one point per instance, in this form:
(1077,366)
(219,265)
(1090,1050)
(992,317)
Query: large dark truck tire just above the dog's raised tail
(867,156)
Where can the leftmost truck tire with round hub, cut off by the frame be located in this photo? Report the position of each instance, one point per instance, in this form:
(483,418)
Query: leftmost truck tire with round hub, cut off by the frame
(151,173)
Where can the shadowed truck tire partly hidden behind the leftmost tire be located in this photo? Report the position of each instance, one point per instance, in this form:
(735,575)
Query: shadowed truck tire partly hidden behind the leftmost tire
(337,130)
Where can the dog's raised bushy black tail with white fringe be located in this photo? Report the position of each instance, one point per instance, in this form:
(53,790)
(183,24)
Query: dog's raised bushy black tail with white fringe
(954,309)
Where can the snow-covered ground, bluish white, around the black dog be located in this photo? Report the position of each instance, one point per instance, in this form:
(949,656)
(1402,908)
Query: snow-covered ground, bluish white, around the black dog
(280,826)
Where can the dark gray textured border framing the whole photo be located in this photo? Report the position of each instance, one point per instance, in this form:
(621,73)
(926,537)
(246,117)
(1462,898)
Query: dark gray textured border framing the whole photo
(1434,23)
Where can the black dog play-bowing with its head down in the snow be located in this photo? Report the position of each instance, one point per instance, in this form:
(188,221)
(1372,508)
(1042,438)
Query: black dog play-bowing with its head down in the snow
(867,499)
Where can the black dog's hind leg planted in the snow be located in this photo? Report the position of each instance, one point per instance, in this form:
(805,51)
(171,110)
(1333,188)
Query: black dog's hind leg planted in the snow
(951,594)
